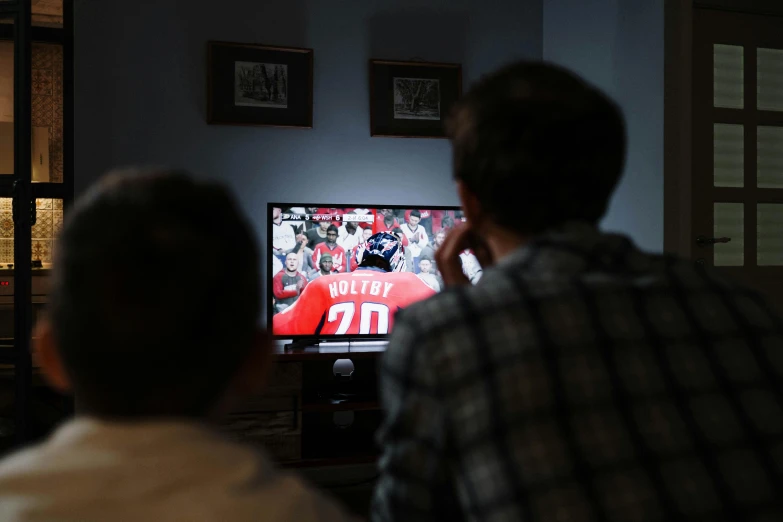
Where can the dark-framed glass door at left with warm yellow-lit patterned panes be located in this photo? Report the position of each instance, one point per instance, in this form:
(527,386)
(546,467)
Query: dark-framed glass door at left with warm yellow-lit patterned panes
(35,186)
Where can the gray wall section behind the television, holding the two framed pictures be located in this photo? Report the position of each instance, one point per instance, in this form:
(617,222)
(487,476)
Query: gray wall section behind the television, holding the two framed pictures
(140,91)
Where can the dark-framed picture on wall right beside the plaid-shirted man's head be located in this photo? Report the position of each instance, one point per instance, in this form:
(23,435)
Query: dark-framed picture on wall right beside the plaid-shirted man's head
(412,99)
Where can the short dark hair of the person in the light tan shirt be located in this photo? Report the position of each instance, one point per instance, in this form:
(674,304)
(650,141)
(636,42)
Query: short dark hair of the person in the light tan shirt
(155,294)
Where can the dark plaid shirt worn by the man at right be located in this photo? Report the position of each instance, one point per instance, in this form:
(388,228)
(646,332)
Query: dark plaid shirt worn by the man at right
(582,380)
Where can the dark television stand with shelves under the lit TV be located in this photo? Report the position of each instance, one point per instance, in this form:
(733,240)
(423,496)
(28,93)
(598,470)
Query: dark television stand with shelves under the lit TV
(308,415)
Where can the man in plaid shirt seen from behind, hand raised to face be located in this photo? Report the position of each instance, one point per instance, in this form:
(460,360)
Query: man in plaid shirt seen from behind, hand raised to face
(580,379)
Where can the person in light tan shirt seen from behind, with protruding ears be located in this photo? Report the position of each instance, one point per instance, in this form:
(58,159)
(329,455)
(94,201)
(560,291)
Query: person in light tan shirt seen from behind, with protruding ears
(156,363)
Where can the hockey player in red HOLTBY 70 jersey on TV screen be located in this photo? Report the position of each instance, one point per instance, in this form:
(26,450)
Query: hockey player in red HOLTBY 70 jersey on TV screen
(357,303)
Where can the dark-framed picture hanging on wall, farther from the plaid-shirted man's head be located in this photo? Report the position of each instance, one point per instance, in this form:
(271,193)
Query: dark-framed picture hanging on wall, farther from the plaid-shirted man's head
(259,85)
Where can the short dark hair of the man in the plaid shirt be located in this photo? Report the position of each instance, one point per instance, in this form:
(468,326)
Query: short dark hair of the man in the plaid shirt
(538,146)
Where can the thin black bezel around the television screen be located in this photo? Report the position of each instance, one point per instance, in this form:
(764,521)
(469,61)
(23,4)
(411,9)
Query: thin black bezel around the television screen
(268,278)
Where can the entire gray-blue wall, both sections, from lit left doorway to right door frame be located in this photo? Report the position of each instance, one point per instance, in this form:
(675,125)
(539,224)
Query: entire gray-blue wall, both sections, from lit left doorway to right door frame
(140,91)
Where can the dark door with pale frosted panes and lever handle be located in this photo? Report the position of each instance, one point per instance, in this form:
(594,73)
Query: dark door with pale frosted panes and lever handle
(737,125)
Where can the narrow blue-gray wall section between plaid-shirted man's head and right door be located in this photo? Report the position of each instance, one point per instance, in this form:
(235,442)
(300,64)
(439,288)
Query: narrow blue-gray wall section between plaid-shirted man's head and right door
(618,45)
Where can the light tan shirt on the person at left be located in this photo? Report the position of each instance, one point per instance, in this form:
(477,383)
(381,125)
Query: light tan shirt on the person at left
(92,470)
